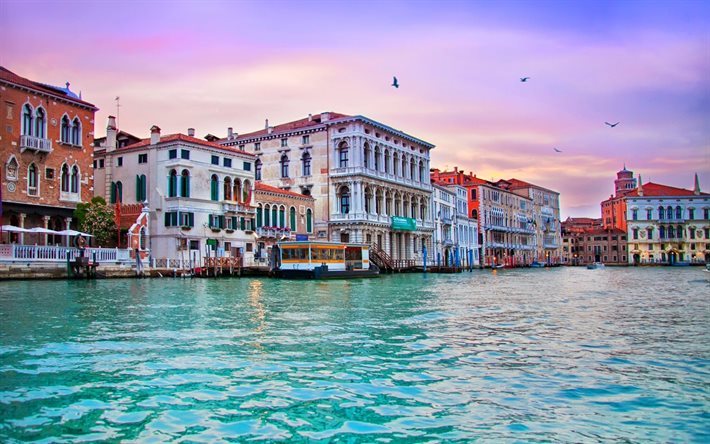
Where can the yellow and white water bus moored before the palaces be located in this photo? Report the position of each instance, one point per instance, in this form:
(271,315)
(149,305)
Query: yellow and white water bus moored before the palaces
(323,260)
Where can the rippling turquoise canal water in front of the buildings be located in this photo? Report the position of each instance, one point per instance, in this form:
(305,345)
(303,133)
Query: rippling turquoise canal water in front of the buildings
(569,355)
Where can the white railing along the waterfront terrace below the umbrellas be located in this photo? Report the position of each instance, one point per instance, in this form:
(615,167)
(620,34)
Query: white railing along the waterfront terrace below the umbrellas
(46,253)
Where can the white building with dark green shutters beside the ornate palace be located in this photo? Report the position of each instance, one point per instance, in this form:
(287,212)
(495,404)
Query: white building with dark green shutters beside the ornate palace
(199,195)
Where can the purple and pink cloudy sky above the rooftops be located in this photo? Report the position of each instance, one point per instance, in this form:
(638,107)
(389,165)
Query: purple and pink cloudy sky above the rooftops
(215,64)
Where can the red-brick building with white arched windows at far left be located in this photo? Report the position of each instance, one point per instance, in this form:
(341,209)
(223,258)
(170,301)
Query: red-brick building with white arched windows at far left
(45,149)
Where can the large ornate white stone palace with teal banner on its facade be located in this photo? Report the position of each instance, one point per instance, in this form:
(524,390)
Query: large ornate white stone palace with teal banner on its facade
(370,181)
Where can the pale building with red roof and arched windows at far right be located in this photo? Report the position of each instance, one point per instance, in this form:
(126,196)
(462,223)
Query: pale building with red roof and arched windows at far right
(667,224)
